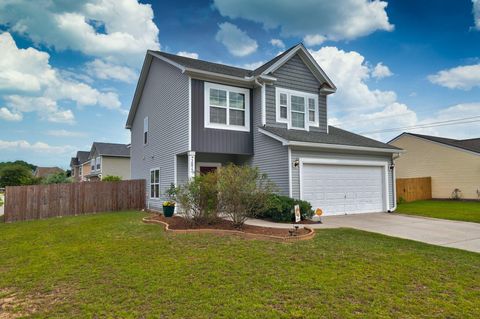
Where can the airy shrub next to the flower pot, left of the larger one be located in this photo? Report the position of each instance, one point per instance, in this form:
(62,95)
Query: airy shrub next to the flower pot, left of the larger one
(198,198)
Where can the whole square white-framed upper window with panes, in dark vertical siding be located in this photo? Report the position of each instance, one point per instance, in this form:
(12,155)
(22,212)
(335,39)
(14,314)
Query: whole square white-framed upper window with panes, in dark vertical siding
(227,107)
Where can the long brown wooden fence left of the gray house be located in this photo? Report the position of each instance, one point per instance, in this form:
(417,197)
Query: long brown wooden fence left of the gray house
(43,201)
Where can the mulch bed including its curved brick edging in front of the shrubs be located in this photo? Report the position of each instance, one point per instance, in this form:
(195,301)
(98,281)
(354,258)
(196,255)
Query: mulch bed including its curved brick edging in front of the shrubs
(221,226)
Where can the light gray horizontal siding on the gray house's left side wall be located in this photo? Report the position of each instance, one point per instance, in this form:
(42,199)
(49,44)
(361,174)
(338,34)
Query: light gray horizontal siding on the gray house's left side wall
(165,101)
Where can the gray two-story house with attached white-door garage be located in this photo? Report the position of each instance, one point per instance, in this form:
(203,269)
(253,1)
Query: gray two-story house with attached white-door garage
(190,116)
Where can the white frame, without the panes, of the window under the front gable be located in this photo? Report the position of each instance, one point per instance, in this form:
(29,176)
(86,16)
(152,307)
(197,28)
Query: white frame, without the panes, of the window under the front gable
(288,120)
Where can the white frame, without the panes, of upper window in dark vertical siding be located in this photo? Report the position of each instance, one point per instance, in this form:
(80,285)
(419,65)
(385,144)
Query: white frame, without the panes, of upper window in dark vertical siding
(246,92)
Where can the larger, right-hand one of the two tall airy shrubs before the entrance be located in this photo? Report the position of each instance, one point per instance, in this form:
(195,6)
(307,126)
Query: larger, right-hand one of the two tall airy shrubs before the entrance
(241,191)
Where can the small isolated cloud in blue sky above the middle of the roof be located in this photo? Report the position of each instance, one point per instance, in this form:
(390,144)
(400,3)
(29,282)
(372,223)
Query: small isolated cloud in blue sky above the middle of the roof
(235,40)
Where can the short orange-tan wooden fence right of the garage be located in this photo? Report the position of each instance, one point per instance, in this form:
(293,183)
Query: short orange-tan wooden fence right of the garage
(411,189)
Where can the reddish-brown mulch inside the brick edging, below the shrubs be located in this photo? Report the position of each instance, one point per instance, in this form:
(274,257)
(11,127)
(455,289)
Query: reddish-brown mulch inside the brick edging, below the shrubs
(179,223)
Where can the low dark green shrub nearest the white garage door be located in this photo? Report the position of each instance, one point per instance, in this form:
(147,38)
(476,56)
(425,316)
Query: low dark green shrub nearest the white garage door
(281,209)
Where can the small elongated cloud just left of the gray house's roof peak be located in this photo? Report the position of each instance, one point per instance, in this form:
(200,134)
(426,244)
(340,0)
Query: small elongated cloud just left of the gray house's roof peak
(108,71)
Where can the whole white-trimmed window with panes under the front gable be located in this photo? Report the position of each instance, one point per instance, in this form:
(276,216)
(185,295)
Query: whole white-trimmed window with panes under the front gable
(298,109)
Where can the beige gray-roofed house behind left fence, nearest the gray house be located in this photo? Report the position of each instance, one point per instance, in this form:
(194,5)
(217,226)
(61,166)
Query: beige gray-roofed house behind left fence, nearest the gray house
(108,159)
